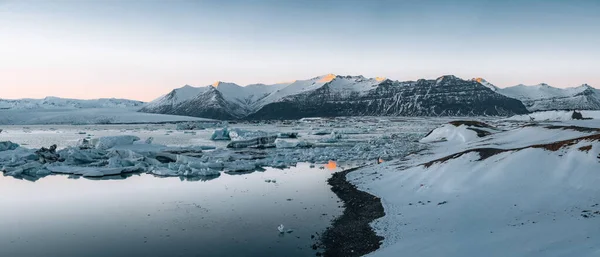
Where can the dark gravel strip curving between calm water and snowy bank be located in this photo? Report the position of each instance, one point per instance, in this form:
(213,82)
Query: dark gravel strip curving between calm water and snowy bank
(350,234)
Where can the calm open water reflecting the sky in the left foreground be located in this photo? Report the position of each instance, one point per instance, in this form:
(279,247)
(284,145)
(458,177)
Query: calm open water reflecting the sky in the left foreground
(142,215)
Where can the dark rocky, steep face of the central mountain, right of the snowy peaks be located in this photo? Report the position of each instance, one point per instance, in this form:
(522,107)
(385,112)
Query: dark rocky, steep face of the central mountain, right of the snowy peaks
(447,96)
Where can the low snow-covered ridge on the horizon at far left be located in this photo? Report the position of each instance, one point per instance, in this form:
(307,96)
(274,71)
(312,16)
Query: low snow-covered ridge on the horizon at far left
(66,103)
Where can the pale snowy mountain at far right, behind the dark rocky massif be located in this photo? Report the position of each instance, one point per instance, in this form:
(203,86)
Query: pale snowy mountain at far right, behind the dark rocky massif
(543,97)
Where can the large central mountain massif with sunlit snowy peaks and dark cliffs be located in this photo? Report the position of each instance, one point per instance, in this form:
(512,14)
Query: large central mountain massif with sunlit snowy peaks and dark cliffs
(334,95)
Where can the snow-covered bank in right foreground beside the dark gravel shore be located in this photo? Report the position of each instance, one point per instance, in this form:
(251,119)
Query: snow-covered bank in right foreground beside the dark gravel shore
(528,201)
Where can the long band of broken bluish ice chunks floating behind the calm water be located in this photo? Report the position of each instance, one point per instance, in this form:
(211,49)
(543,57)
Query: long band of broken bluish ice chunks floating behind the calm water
(250,150)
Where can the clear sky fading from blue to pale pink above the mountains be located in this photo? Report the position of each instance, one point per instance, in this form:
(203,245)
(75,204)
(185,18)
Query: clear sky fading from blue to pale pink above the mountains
(143,49)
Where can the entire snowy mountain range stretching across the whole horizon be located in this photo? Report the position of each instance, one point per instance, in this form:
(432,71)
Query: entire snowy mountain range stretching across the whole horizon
(333,95)
